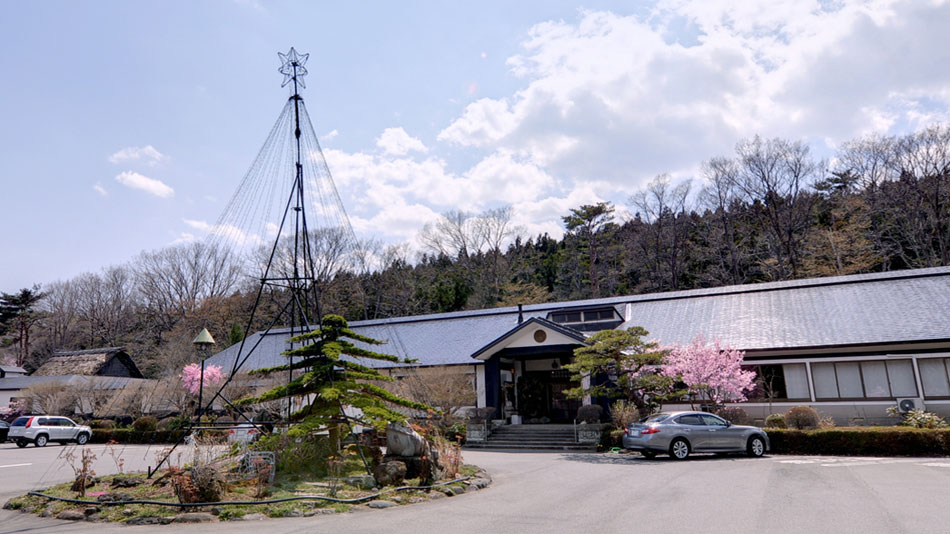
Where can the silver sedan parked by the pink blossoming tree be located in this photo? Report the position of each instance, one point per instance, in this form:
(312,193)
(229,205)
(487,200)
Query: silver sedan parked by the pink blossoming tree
(681,433)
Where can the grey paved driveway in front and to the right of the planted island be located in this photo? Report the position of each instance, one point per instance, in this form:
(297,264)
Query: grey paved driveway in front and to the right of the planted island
(555,492)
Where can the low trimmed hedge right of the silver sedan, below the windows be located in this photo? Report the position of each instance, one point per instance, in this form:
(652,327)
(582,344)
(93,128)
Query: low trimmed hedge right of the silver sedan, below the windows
(862,441)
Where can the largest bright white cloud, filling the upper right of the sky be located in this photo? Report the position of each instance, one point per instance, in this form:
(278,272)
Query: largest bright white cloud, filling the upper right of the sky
(623,98)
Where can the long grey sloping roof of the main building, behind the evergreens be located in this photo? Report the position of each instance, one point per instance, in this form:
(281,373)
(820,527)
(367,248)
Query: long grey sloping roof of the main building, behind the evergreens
(911,306)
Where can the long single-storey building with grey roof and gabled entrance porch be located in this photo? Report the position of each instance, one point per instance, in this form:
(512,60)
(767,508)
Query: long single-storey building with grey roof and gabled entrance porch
(850,346)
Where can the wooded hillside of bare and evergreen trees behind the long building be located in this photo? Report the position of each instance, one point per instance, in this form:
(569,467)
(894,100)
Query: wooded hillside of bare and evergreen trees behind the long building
(770,211)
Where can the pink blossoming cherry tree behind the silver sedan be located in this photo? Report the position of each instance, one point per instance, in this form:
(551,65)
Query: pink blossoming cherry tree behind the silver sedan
(712,372)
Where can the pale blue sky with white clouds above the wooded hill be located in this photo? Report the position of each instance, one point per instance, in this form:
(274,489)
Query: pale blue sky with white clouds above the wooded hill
(126,126)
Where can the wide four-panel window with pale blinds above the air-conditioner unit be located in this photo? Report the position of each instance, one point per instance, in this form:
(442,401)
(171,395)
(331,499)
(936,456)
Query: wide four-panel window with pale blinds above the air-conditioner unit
(881,379)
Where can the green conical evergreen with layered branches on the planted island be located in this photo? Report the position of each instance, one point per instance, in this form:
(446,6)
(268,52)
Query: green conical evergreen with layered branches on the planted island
(332,378)
